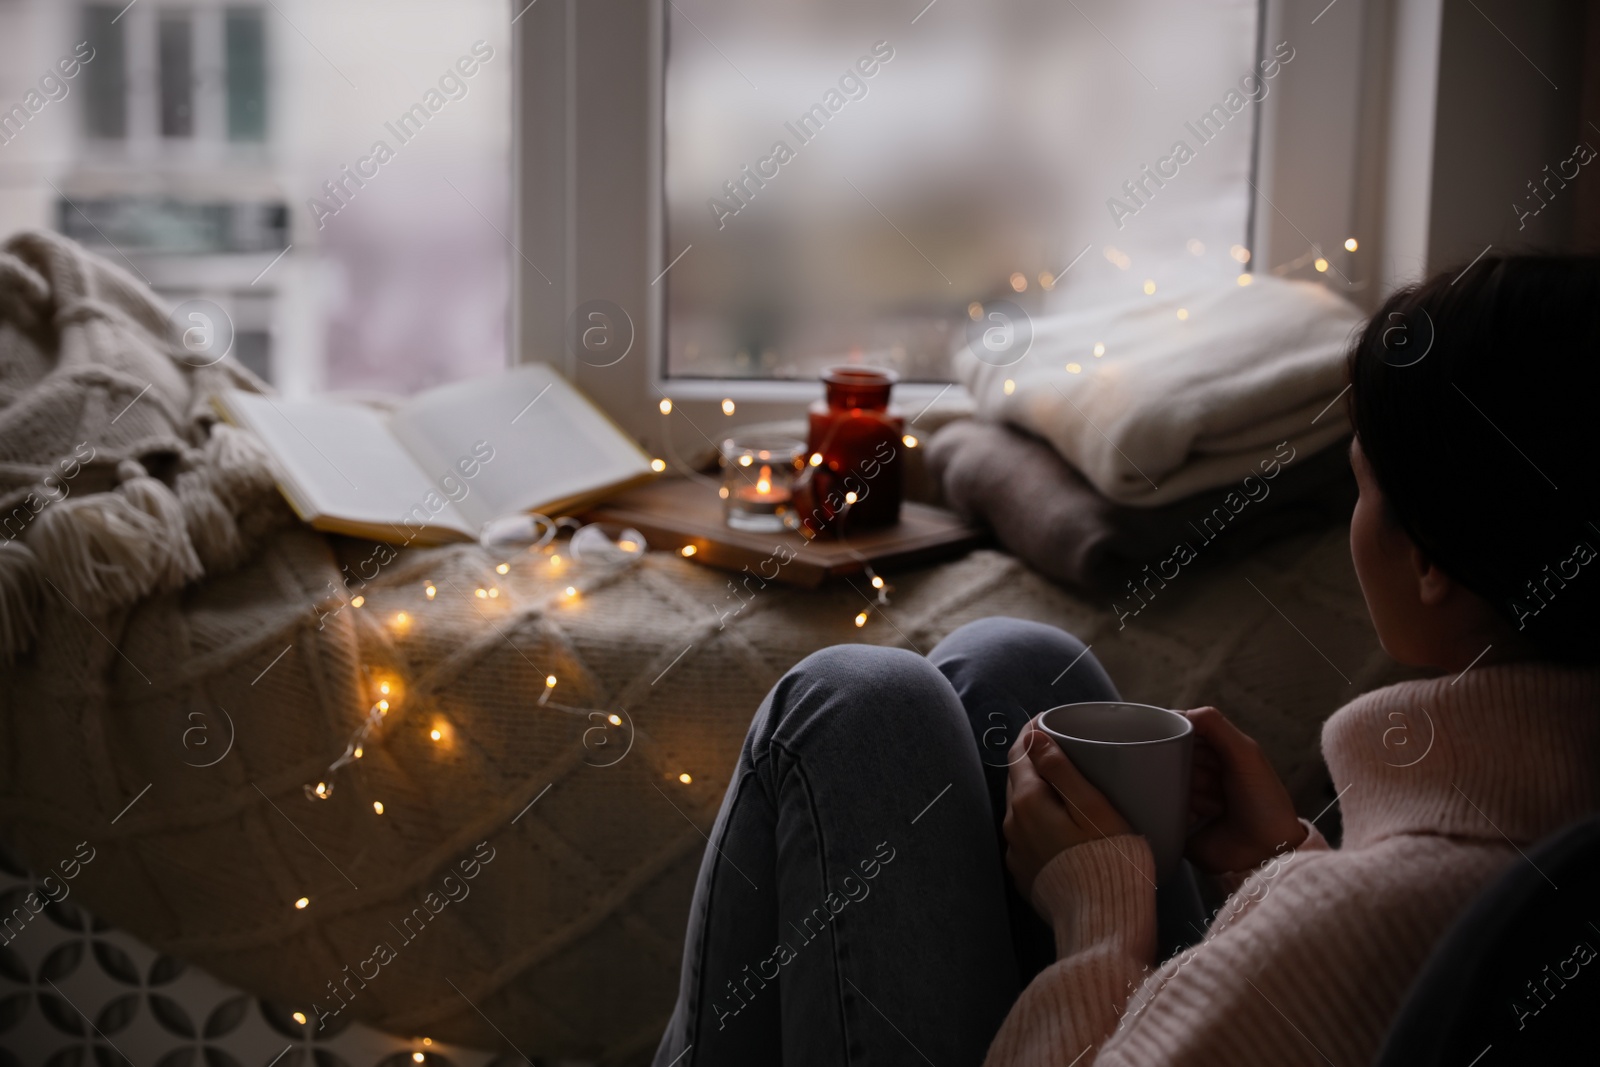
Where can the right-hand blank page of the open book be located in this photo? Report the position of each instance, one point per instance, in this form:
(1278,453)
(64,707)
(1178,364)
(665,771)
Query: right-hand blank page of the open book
(518,442)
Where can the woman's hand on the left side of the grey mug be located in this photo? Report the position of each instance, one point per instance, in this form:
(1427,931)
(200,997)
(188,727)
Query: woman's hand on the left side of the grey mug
(1050,809)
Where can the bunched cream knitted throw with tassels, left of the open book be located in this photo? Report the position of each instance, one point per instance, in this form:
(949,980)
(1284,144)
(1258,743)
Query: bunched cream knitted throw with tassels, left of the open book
(95,399)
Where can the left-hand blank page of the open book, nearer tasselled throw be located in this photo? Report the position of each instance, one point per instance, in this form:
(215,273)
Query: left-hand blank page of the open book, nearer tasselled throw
(343,463)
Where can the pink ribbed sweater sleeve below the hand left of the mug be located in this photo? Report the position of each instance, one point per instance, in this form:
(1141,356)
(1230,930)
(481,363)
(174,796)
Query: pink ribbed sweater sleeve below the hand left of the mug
(1100,900)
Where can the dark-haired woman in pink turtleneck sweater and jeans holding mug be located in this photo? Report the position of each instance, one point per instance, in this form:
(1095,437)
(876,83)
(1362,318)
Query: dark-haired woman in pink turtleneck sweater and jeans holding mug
(854,908)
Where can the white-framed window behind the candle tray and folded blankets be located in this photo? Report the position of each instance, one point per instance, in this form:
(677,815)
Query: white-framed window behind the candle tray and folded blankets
(748,191)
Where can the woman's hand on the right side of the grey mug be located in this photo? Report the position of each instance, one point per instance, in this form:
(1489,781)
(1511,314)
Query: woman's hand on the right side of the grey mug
(1236,786)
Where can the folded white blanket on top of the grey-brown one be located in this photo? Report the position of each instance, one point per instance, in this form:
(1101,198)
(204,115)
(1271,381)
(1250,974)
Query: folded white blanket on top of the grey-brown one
(1177,406)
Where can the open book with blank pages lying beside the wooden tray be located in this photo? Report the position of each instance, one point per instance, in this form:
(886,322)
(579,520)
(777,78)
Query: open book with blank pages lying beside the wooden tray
(446,462)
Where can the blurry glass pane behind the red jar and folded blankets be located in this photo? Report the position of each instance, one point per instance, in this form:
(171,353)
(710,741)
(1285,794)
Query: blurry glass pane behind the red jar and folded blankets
(850,178)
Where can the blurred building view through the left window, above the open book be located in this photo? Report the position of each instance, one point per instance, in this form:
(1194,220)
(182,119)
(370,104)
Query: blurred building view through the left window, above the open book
(230,151)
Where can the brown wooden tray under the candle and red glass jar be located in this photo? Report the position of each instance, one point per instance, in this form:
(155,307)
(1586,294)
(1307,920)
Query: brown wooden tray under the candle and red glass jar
(678,513)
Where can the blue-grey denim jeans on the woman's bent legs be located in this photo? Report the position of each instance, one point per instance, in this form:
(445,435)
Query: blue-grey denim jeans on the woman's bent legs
(854,906)
